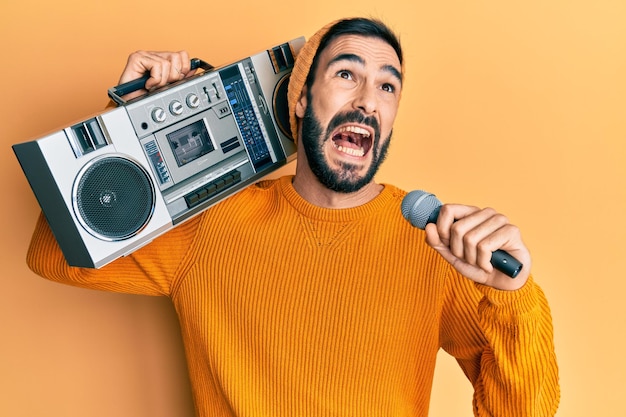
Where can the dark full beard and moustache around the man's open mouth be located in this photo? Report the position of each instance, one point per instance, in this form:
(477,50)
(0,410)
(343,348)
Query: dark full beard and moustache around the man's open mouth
(346,179)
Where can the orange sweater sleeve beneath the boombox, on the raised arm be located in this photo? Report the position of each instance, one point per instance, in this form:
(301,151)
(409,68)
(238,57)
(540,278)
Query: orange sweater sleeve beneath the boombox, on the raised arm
(150,270)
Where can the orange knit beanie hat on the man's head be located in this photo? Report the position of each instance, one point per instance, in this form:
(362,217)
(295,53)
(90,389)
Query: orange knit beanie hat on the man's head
(300,72)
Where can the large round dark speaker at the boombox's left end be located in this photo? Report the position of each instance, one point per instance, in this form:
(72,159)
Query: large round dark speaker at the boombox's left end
(113,197)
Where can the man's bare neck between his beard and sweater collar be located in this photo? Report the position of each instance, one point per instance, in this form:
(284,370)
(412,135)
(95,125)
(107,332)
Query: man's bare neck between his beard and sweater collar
(309,188)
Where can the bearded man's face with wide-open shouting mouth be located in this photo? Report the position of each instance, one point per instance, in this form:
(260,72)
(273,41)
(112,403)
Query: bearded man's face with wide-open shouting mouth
(348,114)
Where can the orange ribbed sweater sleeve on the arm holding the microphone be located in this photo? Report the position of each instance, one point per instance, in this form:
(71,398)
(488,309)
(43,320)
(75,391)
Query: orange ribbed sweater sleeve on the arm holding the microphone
(503,341)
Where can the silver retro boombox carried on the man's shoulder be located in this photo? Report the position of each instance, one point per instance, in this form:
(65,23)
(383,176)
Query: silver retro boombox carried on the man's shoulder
(112,183)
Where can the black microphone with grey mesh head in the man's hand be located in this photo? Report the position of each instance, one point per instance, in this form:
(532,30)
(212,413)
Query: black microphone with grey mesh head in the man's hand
(420,208)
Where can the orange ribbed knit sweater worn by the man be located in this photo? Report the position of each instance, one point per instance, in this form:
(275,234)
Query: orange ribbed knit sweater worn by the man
(288,309)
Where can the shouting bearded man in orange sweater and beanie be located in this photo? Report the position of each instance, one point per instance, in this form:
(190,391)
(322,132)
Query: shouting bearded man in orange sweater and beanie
(311,295)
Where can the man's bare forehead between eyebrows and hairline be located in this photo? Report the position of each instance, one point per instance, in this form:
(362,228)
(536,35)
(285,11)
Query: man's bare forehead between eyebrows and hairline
(371,50)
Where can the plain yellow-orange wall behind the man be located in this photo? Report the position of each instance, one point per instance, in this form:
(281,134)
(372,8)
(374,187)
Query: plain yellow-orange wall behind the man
(520,105)
